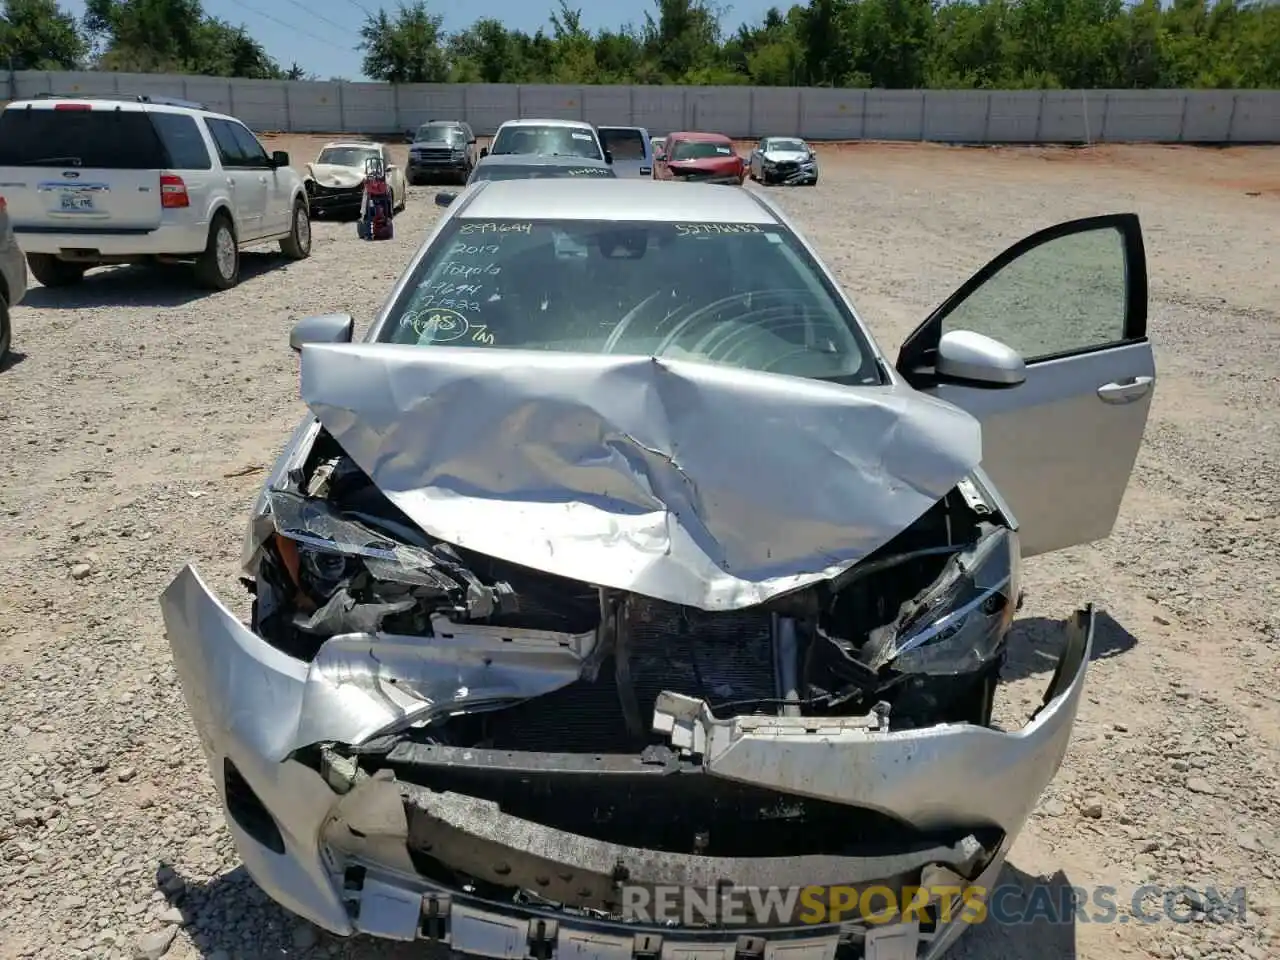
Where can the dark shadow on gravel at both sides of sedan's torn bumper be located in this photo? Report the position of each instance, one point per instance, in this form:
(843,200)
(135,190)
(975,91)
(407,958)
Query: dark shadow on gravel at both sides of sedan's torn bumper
(1028,918)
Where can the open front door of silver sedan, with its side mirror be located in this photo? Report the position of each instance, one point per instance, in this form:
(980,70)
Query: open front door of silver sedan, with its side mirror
(1063,387)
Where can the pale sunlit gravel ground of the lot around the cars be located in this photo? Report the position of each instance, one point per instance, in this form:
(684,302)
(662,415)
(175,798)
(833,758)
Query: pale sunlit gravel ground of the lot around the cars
(138,418)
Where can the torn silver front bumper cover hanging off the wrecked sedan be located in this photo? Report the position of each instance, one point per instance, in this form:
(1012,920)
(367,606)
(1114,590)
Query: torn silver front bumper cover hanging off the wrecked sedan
(342,852)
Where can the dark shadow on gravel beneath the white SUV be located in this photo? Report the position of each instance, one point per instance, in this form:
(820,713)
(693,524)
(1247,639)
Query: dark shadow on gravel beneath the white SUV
(144,285)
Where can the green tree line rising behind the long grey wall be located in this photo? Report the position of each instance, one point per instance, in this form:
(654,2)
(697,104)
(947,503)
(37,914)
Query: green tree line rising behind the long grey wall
(890,44)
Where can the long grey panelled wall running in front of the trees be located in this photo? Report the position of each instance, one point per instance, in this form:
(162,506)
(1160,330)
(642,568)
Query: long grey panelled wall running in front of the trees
(747,113)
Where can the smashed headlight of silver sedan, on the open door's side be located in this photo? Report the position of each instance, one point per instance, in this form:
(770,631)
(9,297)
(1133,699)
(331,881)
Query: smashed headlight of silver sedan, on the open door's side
(959,623)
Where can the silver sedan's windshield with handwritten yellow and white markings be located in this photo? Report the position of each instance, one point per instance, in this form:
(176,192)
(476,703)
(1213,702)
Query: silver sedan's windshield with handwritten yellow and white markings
(742,295)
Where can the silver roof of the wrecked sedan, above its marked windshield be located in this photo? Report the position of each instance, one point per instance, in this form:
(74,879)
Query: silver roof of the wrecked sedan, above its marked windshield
(638,200)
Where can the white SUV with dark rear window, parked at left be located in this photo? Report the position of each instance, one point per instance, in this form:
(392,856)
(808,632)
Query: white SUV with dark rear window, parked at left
(94,181)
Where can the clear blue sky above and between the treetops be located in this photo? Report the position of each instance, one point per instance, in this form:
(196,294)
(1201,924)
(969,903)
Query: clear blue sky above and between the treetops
(324,42)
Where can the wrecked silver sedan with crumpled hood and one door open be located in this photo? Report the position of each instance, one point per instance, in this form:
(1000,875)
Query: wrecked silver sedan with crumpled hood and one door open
(619,557)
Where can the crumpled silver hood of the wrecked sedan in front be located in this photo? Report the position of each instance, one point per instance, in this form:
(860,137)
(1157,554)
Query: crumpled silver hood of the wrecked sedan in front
(687,482)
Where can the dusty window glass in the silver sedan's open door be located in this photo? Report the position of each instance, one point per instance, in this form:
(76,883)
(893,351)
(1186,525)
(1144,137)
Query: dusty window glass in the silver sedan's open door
(1064,296)
